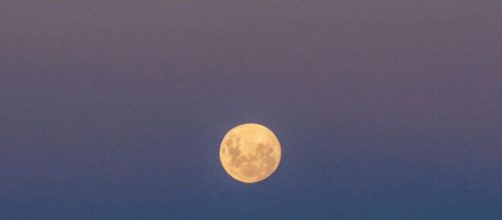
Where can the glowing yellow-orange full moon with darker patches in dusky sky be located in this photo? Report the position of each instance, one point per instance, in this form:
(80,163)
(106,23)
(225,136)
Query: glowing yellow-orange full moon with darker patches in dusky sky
(250,152)
